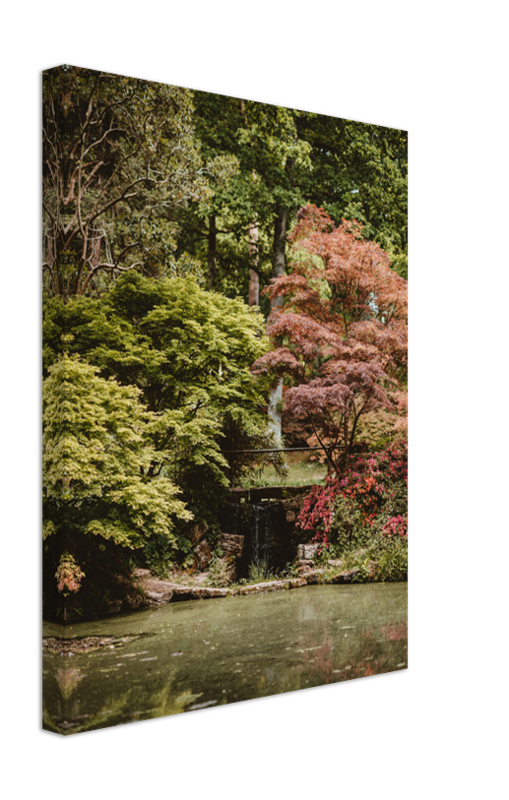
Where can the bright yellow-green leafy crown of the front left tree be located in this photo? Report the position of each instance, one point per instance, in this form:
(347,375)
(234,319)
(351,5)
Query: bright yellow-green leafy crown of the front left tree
(96,458)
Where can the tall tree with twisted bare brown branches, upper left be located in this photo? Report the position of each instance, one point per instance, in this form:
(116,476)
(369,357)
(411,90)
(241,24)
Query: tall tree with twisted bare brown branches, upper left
(118,157)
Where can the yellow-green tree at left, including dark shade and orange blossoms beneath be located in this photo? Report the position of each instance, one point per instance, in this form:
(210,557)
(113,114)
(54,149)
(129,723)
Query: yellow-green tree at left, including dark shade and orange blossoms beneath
(99,502)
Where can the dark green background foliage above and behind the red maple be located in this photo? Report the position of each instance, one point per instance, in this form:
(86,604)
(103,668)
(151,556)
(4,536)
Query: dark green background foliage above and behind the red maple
(287,158)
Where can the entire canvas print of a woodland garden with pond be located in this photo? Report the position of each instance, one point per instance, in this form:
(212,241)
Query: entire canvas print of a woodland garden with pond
(224,400)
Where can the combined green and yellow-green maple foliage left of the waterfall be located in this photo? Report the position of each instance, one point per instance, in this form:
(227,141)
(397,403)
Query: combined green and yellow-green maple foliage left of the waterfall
(156,378)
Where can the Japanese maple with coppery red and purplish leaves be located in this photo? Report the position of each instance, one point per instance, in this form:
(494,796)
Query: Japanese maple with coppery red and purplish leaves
(341,332)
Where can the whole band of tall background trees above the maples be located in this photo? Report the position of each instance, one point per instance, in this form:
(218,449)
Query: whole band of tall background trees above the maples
(170,180)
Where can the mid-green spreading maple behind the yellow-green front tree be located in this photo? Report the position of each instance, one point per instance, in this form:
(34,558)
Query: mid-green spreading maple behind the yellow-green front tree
(189,352)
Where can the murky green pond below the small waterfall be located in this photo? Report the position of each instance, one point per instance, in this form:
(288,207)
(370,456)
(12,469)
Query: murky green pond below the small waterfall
(202,654)
